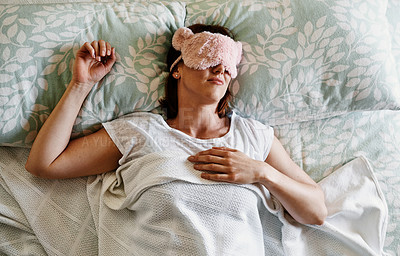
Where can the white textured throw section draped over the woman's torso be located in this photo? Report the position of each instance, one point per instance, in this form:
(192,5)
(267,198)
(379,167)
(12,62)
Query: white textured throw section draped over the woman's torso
(165,208)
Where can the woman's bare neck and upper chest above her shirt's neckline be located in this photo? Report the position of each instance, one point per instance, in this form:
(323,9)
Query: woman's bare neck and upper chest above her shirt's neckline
(200,123)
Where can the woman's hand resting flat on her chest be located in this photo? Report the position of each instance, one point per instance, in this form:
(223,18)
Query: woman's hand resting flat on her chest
(228,165)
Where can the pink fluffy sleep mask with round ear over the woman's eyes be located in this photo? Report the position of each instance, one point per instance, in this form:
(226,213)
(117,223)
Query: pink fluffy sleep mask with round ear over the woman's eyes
(204,50)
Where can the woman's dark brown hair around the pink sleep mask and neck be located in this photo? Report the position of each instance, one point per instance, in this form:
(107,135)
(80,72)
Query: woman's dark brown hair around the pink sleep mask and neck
(170,101)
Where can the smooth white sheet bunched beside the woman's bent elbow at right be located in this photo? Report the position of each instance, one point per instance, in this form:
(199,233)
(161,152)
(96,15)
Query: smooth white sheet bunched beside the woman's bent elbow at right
(357,216)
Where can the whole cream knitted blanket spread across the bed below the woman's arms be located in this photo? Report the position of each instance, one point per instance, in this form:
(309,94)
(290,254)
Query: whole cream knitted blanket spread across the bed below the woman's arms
(43,217)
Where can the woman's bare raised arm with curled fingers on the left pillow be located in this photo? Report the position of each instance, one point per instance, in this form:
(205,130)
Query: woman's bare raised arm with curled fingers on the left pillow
(53,155)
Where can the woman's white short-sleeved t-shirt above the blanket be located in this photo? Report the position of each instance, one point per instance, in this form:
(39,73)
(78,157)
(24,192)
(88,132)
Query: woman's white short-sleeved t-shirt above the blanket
(141,133)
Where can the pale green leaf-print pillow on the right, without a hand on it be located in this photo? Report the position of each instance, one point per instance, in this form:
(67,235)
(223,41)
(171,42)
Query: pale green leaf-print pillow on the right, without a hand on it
(307,59)
